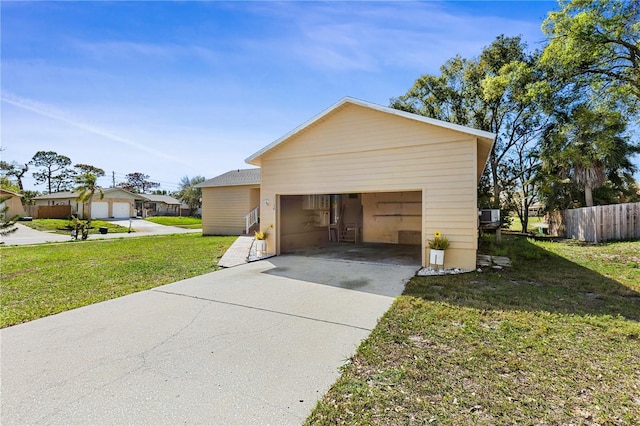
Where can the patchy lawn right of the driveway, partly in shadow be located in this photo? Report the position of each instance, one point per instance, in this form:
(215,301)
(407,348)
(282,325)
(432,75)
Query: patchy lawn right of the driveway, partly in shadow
(553,340)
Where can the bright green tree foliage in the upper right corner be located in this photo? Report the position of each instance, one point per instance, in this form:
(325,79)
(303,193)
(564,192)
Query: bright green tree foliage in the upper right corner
(597,41)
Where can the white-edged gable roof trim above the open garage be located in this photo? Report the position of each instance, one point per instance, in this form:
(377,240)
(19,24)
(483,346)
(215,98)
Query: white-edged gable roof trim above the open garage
(485,138)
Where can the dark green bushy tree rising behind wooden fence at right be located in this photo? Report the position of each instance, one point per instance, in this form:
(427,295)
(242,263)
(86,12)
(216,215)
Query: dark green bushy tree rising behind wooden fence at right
(588,147)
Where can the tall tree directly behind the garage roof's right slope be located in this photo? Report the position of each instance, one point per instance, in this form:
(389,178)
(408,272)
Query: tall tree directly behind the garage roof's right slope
(493,92)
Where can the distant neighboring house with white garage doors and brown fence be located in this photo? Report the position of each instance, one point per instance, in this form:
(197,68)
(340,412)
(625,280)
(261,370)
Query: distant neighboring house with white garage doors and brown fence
(117,203)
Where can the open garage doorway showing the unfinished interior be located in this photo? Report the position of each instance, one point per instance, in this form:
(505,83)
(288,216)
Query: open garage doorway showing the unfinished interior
(379,227)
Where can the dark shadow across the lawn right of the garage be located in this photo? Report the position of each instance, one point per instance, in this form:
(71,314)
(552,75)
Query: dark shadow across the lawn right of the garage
(538,281)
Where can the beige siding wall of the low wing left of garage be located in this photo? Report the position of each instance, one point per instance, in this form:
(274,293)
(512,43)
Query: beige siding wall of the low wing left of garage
(224,208)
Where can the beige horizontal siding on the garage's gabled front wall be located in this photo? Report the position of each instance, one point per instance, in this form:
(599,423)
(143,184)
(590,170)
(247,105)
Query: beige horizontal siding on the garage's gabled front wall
(358,150)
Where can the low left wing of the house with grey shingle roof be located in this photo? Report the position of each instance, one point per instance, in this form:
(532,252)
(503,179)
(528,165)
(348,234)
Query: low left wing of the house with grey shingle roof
(228,202)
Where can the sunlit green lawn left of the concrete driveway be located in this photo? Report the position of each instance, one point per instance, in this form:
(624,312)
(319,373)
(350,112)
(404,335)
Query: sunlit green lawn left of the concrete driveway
(37,281)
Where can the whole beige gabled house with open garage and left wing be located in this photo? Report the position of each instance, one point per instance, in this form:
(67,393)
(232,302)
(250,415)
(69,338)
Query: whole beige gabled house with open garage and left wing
(365,173)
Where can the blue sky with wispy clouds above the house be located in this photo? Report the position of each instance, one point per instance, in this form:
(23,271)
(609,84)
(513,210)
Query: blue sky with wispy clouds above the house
(193,88)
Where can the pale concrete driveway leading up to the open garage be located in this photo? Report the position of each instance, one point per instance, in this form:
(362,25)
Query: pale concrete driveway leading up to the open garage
(255,344)
